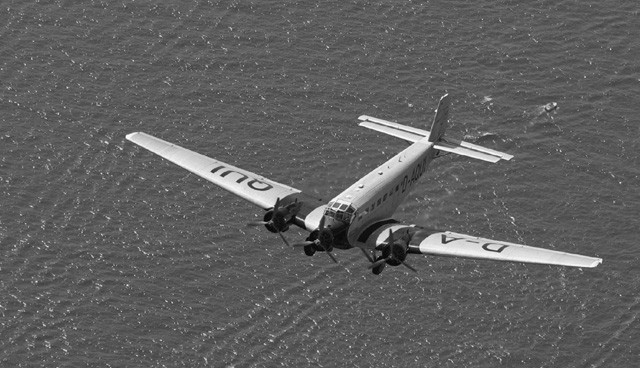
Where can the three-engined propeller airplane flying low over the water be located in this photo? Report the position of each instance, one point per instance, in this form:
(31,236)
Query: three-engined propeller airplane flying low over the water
(362,215)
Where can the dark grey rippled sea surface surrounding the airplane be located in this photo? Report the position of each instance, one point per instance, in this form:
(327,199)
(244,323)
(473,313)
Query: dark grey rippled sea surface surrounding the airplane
(113,257)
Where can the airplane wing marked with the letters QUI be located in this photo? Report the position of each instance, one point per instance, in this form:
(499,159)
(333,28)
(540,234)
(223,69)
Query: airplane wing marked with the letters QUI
(245,184)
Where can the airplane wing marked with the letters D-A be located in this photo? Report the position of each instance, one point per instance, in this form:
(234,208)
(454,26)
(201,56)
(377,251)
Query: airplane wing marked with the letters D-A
(460,245)
